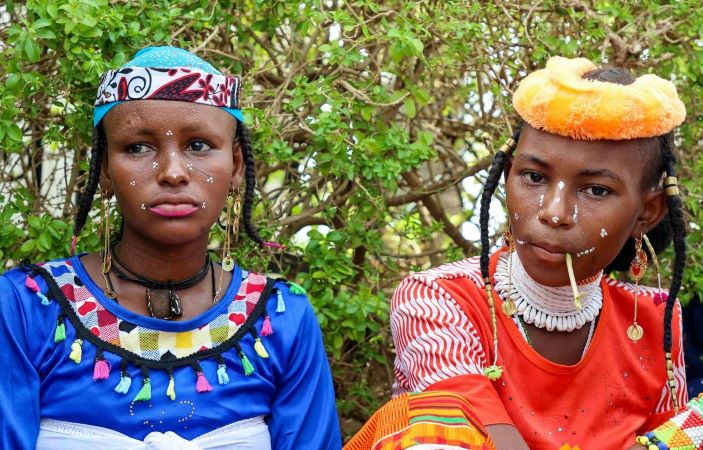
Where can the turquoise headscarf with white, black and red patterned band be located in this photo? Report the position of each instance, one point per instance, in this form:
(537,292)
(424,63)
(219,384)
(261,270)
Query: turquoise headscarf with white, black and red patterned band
(167,73)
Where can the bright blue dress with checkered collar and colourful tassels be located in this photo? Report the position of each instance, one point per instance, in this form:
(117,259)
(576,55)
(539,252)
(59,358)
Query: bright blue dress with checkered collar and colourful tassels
(71,354)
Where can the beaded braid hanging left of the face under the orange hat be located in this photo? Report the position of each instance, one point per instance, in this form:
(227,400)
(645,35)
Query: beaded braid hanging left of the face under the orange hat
(493,372)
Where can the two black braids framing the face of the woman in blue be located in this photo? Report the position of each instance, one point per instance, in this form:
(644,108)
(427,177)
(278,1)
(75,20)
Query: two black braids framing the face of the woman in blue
(85,200)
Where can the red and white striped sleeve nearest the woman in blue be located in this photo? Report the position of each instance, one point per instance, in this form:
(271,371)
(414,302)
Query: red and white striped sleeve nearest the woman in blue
(434,338)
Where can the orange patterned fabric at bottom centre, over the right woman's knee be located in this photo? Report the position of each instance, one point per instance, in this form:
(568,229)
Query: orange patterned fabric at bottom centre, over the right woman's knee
(422,418)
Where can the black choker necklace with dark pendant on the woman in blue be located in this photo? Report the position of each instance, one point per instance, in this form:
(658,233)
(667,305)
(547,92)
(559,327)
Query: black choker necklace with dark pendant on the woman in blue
(161,298)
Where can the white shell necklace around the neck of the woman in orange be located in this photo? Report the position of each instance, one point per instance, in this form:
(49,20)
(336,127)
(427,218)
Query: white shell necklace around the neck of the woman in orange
(547,307)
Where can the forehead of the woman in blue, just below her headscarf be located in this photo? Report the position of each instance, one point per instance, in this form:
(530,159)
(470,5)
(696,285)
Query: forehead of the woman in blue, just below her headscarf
(166,114)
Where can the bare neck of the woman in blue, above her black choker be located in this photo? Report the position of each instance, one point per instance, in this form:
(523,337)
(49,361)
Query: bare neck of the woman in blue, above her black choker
(159,261)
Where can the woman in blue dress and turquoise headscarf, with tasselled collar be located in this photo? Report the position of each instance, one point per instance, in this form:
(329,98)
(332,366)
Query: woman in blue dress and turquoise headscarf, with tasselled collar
(149,344)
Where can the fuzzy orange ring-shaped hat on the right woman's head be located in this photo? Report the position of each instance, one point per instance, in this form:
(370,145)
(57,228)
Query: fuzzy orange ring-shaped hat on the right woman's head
(558,100)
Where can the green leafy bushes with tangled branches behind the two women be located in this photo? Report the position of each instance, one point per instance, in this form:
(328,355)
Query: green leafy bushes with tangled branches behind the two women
(371,120)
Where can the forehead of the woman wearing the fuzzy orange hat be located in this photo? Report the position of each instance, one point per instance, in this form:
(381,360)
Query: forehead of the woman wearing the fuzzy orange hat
(628,157)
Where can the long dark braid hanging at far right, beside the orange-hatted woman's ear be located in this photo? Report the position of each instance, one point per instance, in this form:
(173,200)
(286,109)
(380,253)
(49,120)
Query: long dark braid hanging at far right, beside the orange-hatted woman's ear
(678,228)
